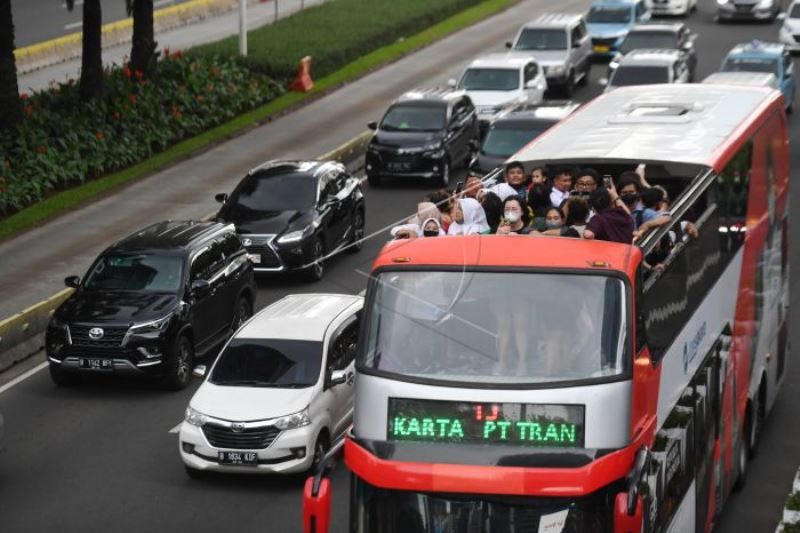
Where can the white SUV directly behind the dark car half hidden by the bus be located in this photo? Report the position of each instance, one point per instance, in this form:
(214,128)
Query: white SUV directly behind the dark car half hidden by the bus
(498,82)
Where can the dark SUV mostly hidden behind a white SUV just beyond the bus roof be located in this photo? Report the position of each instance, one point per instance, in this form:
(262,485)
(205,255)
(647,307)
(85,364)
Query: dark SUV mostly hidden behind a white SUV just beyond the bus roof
(660,36)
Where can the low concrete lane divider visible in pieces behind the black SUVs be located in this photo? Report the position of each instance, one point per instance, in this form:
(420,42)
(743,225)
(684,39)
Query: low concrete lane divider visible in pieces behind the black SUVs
(22,334)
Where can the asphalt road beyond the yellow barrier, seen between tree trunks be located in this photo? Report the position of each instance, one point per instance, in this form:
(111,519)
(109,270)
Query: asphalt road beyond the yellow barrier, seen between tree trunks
(40,20)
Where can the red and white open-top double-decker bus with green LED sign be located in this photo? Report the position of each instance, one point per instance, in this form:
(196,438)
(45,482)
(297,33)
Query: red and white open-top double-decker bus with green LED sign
(515,384)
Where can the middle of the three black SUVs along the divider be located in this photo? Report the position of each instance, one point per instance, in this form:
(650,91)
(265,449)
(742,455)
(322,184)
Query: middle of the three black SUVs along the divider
(293,215)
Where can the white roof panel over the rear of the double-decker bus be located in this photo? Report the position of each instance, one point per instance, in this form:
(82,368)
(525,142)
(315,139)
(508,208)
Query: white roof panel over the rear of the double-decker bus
(680,123)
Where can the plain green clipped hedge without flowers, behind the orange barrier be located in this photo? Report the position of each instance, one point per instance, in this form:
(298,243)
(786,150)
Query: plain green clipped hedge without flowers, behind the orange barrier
(333,34)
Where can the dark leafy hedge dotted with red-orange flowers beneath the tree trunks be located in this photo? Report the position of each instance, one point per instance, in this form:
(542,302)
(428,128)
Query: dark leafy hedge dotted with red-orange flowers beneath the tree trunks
(62,142)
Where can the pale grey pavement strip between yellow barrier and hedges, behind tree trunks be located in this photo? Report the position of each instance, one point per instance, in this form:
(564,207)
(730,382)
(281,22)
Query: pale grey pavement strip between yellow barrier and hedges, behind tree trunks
(212,29)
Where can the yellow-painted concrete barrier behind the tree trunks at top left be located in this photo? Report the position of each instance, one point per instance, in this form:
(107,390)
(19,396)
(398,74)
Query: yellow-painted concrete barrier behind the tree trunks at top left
(54,51)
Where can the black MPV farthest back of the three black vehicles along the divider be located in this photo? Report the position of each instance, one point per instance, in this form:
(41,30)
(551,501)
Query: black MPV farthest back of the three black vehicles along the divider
(425,133)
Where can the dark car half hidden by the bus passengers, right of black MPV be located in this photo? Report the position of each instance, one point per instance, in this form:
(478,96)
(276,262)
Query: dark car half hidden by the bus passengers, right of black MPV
(512,130)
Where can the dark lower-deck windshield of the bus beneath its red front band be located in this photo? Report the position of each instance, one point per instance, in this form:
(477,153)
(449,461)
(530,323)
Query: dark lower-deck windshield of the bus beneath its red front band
(378,510)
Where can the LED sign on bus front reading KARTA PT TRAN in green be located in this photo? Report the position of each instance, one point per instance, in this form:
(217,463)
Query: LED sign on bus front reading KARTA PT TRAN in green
(539,425)
